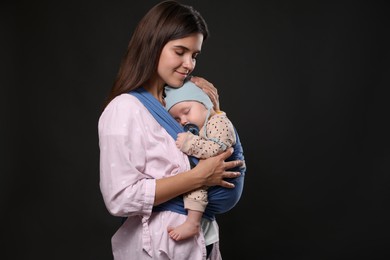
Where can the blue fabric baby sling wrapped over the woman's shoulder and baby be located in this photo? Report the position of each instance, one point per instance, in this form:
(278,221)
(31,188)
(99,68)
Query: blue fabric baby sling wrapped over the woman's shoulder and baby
(220,199)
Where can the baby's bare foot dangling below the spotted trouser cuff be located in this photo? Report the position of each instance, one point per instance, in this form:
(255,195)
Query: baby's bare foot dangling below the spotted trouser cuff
(189,228)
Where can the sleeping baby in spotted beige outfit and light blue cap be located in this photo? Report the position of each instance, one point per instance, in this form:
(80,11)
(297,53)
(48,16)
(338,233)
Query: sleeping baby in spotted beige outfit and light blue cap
(190,106)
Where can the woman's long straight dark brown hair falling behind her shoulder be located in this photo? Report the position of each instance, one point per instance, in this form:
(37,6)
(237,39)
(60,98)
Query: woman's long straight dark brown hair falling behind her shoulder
(166,21)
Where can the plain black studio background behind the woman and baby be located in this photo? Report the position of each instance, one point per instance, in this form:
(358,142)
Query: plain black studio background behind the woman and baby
(305,82)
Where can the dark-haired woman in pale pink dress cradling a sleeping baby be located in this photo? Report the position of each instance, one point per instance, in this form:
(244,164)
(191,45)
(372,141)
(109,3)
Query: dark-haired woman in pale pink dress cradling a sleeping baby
(142,173)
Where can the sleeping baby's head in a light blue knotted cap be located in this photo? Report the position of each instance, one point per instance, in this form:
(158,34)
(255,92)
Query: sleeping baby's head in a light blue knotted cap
(188,104)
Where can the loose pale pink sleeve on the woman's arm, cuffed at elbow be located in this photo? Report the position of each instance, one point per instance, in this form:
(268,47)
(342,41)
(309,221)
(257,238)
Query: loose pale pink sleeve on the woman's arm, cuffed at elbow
(126,190)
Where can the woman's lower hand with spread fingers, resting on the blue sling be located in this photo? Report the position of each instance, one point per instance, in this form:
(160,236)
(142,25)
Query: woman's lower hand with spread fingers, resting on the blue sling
(215,169)
